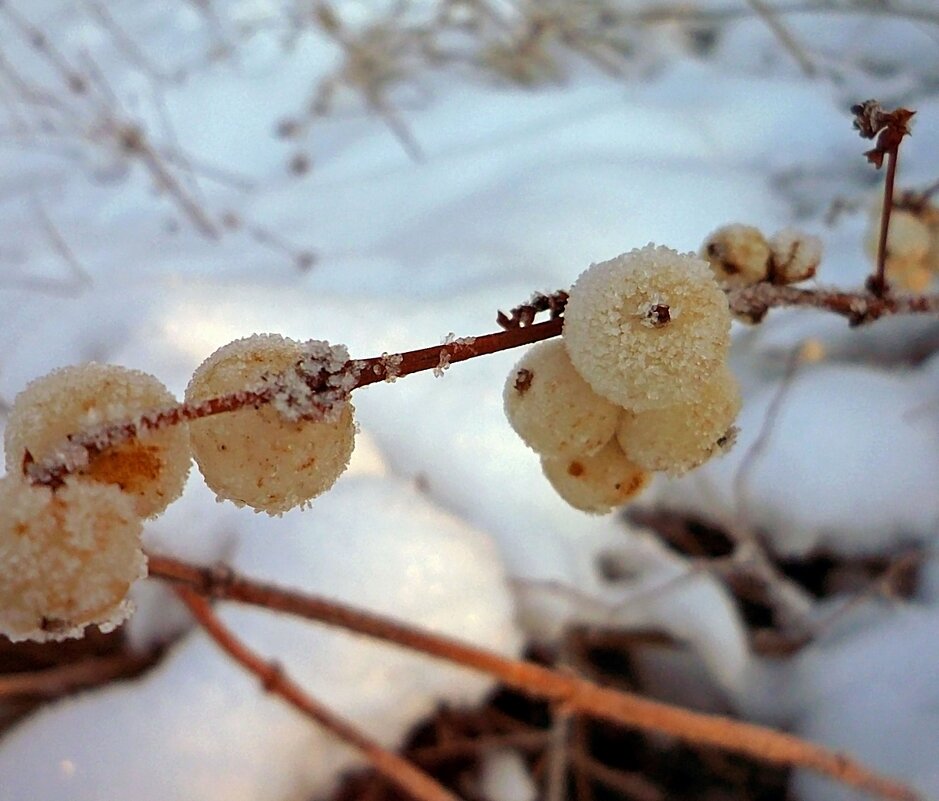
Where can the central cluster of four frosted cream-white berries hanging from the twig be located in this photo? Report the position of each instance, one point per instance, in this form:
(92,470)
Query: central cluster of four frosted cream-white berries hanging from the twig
(638,384)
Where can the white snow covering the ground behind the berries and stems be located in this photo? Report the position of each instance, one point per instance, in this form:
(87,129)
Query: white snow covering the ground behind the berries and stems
(444,518)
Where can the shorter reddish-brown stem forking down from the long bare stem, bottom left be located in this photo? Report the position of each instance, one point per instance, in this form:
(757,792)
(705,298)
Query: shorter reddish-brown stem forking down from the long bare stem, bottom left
(274,680)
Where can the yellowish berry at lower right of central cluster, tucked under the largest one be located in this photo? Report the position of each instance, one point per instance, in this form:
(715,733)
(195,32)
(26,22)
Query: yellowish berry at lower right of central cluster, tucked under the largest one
(677,438)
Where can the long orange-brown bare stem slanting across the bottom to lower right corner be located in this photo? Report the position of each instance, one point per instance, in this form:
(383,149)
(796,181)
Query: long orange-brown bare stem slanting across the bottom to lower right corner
(574,693)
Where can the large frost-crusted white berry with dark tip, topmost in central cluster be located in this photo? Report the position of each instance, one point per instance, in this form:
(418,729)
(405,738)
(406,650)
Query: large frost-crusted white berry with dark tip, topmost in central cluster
(647,328)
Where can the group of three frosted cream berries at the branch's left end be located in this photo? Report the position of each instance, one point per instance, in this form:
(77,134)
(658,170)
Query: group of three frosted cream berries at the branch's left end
(70,545)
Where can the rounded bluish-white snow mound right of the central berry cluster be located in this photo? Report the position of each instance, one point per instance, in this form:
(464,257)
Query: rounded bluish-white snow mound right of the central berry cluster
(865,482)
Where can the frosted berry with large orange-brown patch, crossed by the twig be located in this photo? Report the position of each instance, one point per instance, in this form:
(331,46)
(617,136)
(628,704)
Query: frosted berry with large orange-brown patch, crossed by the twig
(151,468)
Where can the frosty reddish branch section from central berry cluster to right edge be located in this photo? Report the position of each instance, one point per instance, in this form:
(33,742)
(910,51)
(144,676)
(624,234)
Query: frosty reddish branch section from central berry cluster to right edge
(858,307)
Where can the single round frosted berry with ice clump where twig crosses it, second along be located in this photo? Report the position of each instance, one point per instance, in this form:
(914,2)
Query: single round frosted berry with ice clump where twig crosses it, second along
(273,457)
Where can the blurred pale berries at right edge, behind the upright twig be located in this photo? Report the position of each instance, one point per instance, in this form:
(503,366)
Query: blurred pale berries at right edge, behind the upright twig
(912,261)
